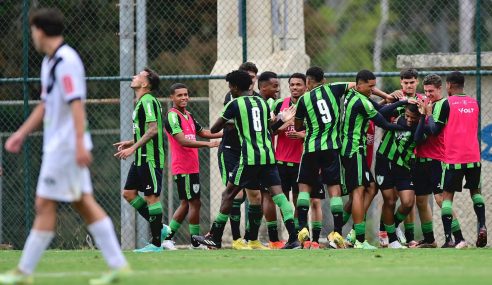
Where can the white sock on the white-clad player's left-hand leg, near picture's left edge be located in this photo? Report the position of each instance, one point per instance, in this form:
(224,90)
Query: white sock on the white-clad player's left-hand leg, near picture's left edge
(36,244)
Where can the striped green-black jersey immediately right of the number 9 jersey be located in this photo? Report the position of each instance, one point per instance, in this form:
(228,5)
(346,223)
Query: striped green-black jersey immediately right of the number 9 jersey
(355,122)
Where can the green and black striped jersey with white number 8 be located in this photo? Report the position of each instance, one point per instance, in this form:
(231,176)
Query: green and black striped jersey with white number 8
(251,116)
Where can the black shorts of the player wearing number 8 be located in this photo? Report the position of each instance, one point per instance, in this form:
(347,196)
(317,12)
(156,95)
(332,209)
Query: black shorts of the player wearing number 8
(255,176)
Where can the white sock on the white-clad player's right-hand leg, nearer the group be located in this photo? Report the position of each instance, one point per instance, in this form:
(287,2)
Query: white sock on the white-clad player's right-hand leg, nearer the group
(103,233)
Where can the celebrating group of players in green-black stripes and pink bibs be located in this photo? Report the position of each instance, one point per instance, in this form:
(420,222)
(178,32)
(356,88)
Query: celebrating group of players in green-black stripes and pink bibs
(303,143)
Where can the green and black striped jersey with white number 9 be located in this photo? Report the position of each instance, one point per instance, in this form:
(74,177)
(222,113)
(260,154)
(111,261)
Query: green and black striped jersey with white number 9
(320,110)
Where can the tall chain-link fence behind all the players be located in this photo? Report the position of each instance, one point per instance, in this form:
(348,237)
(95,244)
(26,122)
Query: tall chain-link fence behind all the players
(197,42)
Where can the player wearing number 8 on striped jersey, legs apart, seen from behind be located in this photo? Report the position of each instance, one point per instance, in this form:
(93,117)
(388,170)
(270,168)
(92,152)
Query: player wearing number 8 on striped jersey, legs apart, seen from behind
(257,162)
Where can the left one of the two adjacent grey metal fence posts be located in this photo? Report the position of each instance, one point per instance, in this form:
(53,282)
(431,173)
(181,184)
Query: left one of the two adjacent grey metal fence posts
(126,108)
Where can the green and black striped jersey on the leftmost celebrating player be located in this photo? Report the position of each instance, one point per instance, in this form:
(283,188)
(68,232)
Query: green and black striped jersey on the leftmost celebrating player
(147,110)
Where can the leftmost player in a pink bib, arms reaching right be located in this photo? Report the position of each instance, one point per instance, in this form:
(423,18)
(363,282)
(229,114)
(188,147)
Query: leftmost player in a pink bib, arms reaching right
(182,128)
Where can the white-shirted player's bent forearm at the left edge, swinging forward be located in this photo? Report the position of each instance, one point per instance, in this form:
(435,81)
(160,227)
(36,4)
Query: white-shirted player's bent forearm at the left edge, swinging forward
(15,141)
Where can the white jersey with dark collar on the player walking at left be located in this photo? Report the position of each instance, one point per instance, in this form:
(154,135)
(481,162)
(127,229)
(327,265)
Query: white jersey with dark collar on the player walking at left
(62,81)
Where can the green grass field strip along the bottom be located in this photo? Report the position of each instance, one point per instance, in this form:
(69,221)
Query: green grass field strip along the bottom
(423,266)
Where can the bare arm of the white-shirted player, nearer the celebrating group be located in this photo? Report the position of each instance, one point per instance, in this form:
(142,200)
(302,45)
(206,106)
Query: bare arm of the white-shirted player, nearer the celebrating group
(83,156)
